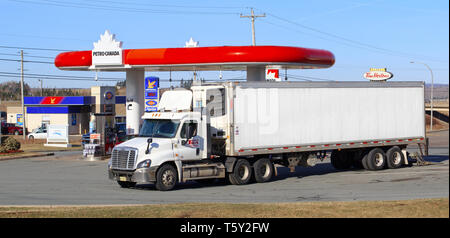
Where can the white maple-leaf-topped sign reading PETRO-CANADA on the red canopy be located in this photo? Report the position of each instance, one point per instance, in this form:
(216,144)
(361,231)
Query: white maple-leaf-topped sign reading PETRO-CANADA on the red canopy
(107,51)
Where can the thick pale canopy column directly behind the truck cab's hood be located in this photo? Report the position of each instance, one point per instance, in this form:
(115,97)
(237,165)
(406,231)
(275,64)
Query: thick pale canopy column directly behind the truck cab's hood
(135,100)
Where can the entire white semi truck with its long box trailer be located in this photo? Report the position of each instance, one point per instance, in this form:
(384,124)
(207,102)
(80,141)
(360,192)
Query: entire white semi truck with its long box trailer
(240,131)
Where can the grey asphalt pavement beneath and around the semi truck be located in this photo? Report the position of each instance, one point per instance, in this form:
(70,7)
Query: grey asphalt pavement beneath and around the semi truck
(66,180)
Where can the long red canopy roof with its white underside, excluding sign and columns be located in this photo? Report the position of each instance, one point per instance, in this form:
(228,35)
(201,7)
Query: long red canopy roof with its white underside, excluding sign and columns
(202,58)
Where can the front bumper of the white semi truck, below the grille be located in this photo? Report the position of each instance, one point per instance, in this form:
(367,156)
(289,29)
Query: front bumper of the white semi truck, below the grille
(142,175)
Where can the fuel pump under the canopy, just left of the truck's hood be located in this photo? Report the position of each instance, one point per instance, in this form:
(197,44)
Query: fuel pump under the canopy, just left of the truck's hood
(103,137)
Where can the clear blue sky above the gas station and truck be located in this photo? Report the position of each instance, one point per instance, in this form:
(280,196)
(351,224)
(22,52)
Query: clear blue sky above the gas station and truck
(362,34)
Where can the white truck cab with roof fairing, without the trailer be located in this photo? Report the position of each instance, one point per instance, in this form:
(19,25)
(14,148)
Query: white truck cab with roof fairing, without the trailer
(170,146)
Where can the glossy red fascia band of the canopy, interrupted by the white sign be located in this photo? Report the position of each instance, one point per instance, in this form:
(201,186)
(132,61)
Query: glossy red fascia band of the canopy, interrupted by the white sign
(207,55)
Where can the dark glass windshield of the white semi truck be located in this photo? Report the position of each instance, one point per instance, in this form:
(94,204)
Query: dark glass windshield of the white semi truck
(159,128)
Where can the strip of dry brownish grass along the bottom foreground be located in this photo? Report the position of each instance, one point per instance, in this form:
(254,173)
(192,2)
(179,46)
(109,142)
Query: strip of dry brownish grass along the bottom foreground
(418,208)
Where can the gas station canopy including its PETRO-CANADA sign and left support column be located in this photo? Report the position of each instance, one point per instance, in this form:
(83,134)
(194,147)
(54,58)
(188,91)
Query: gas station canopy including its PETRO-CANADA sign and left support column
(257,61)
